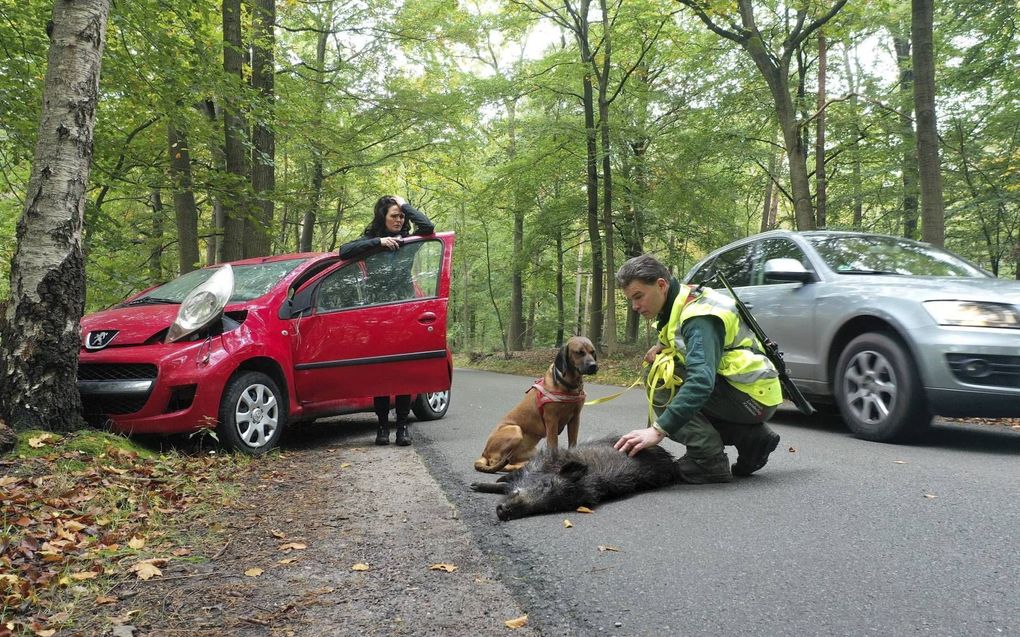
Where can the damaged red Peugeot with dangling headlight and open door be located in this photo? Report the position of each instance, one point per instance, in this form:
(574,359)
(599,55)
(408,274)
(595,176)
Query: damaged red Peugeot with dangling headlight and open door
(251,347)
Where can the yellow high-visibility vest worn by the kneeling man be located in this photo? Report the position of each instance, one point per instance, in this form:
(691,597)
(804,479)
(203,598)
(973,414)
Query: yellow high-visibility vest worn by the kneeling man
(743,365)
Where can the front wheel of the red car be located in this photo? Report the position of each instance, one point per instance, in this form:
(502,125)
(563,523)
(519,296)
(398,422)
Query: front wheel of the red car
(252,397)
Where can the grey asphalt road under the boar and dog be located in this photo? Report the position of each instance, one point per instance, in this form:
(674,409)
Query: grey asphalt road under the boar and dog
(836,537)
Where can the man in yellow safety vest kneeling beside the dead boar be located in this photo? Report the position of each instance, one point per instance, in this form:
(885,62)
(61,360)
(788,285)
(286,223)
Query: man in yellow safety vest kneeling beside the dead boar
(708,383)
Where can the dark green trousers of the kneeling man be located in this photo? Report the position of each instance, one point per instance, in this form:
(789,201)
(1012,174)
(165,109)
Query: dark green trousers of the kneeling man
(726,406)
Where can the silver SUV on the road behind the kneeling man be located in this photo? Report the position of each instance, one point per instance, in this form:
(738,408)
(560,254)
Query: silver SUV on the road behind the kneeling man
(891,331)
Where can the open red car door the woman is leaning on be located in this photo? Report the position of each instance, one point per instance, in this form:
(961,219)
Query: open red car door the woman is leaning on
(376,326)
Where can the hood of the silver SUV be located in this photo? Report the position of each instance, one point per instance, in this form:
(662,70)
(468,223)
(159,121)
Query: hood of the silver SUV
(936,289)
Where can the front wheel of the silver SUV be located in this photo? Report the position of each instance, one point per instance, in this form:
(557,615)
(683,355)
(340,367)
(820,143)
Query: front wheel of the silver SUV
(879,391)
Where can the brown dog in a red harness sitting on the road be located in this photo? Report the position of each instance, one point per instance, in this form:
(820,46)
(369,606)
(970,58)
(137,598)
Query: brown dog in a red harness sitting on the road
(553,403)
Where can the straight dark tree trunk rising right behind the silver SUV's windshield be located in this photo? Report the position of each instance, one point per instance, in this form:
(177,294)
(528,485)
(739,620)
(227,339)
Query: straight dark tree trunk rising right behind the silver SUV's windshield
(933,207)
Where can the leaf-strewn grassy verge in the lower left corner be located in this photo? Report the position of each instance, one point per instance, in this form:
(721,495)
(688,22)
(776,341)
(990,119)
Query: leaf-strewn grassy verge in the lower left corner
(86,512)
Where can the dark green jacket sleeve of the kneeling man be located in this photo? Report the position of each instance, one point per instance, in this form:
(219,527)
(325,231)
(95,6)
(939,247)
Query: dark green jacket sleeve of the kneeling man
(704,337)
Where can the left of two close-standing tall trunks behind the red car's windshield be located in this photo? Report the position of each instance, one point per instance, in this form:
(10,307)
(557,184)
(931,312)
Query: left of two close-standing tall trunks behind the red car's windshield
(235,127)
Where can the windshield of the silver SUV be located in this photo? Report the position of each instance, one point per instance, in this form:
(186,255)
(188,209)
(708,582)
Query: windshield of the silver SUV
(860,254)
